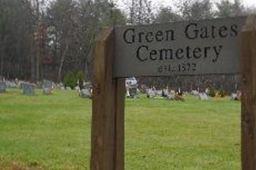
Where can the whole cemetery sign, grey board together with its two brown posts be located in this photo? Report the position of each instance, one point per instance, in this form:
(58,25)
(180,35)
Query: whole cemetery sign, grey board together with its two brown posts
(183,48)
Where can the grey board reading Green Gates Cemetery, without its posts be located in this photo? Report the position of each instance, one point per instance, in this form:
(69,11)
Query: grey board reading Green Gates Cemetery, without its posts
(180,48)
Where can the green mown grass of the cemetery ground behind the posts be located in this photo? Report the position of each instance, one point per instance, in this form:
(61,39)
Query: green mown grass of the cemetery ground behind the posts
(53,132)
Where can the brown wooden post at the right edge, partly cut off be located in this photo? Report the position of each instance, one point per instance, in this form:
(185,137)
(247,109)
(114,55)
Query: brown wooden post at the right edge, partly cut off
(248,108)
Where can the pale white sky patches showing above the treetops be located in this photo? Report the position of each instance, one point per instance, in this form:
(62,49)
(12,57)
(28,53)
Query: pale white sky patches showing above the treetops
(159,3)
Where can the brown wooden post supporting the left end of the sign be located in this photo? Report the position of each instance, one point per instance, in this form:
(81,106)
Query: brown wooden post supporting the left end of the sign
(107,135)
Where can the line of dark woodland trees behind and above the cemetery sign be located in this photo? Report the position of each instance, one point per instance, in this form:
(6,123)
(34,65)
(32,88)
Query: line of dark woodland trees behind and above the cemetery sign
(47,39)
